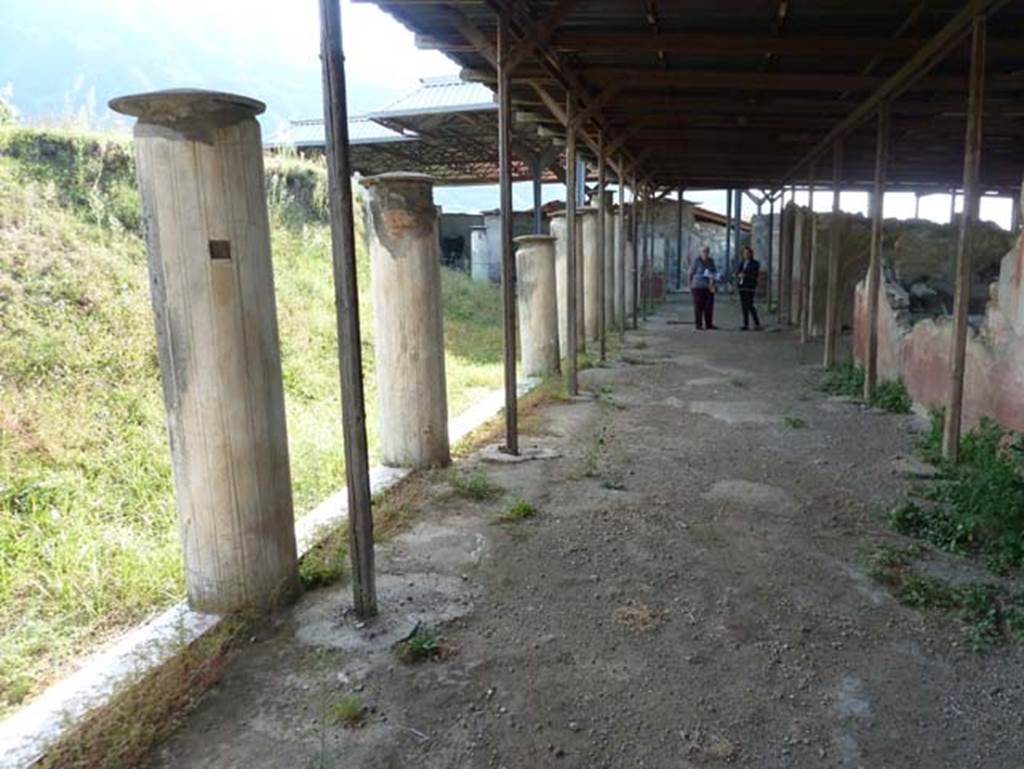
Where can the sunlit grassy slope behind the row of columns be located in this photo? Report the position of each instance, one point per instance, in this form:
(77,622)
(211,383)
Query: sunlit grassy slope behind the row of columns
(89,540)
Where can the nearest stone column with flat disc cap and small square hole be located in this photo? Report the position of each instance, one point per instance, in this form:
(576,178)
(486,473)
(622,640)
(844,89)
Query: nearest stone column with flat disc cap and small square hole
(200,168)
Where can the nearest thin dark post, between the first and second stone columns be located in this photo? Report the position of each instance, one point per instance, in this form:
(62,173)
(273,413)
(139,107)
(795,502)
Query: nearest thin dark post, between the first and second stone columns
(354,415)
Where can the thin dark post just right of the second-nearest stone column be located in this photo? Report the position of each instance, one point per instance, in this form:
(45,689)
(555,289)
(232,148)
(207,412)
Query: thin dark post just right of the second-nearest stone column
(508,257)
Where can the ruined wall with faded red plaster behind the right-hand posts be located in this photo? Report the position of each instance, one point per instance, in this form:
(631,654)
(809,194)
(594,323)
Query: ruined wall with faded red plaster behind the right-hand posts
(919,353)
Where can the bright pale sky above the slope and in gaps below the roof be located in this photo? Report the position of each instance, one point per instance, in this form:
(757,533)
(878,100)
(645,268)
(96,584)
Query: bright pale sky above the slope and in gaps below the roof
(63,57)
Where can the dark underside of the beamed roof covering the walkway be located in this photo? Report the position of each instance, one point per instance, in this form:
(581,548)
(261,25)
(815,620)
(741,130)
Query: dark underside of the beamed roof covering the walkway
(745,94)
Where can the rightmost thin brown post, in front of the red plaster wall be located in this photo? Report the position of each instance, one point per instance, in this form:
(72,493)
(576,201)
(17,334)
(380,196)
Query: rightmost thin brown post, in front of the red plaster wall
(962,297)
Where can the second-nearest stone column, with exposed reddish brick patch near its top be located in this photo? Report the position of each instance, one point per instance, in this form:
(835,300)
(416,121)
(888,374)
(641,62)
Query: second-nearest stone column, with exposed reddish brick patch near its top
(406,278)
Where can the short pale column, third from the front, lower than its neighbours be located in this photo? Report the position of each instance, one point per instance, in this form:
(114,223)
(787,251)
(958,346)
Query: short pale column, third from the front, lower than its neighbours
(537,305)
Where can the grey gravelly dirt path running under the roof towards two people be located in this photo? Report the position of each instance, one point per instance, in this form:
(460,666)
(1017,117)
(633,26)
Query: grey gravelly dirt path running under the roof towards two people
(692,593)
